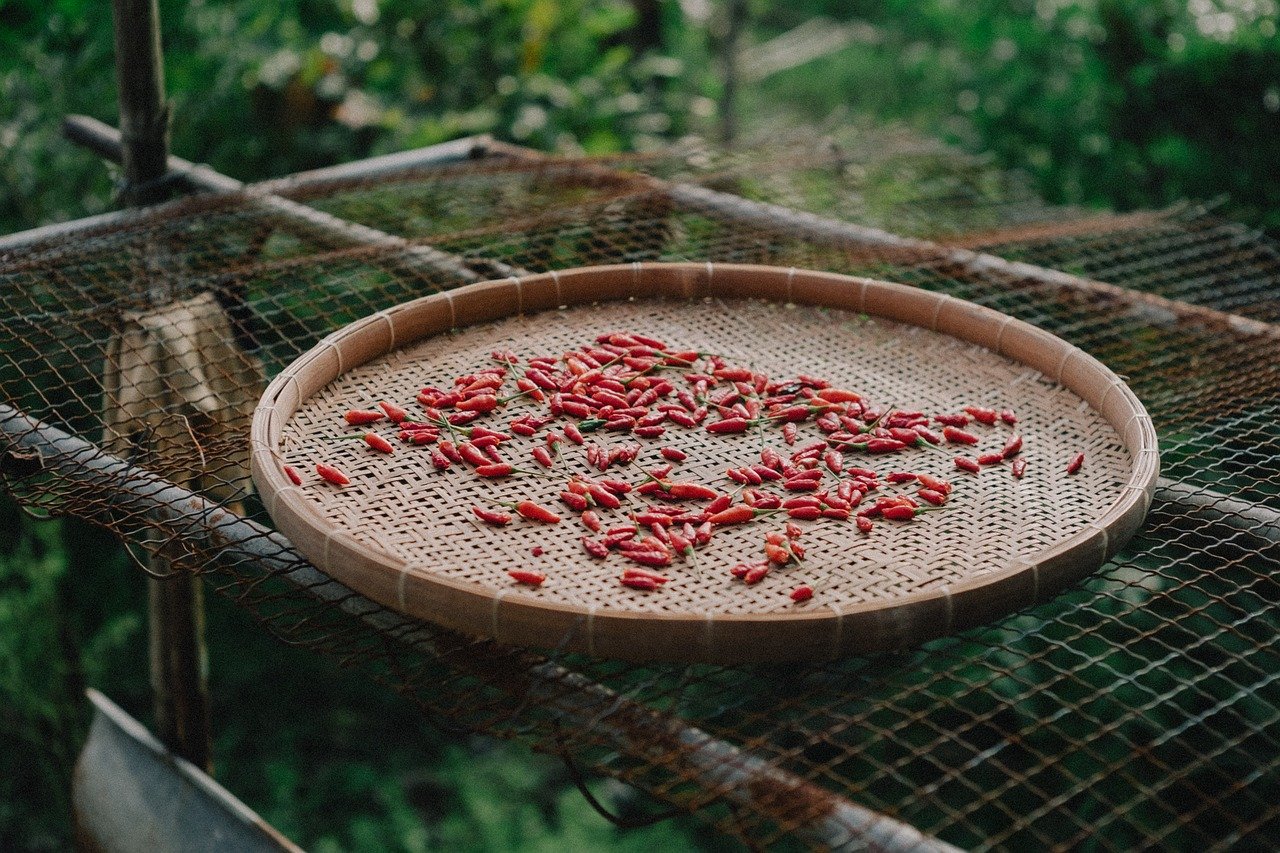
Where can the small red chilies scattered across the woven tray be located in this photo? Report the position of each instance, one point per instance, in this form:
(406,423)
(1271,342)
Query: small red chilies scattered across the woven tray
(633,385)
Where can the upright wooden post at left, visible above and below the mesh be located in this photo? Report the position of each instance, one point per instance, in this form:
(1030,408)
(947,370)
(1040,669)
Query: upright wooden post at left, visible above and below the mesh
(180,669)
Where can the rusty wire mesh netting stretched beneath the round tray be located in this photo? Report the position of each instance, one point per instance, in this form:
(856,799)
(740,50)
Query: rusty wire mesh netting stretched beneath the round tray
(1141,708)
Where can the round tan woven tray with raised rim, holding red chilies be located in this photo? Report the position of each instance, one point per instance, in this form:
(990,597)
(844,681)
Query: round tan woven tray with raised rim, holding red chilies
(404,533)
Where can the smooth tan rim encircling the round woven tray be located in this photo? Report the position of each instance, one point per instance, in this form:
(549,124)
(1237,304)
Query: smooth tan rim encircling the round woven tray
(821,632)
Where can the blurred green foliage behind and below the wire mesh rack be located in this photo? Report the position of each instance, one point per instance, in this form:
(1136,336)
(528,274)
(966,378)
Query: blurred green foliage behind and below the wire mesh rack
(1105,103)
